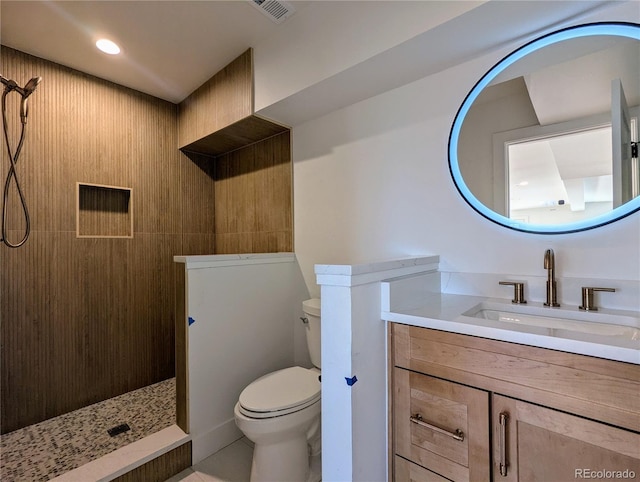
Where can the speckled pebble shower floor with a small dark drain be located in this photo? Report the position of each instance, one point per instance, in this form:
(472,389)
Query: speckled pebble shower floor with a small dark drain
(48,449)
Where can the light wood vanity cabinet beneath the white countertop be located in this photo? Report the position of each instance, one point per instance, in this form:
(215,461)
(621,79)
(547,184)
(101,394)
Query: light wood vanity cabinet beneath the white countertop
(472,409)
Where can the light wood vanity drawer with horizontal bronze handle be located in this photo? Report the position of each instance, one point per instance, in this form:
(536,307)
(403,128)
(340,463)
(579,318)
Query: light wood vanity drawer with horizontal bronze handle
(441,425)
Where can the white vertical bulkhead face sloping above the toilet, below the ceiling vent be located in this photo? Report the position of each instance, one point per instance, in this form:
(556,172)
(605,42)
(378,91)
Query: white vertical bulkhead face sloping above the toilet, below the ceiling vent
(329,42)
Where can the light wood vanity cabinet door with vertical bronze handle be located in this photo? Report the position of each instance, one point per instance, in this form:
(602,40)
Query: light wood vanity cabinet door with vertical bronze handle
(537,444)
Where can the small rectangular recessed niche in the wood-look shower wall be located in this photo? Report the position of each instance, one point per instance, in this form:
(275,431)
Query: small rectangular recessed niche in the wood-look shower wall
(103,211)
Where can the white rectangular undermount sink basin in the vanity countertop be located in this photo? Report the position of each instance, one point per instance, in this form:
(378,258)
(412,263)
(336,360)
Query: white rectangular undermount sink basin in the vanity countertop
(560,323)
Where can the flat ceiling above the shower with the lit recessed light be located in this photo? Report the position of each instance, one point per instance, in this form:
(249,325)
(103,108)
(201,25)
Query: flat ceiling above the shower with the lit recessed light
(169,48)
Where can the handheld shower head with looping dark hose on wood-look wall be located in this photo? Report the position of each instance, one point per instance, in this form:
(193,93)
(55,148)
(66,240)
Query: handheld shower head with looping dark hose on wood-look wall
(25,92)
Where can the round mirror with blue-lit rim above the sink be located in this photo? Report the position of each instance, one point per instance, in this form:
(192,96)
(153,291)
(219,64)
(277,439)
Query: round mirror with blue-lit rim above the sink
(547,140)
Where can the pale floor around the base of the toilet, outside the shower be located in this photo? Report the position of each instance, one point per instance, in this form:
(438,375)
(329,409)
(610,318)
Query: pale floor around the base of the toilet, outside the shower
(232,464)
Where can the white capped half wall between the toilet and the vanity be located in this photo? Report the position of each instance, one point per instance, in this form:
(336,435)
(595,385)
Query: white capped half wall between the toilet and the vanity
(354,338)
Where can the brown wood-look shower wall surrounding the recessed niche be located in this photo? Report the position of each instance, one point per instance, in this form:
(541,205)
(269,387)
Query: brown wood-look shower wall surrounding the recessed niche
(83,320)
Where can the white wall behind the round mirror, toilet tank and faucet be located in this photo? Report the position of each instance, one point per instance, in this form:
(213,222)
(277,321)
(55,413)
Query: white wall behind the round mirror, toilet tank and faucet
(371,181)
